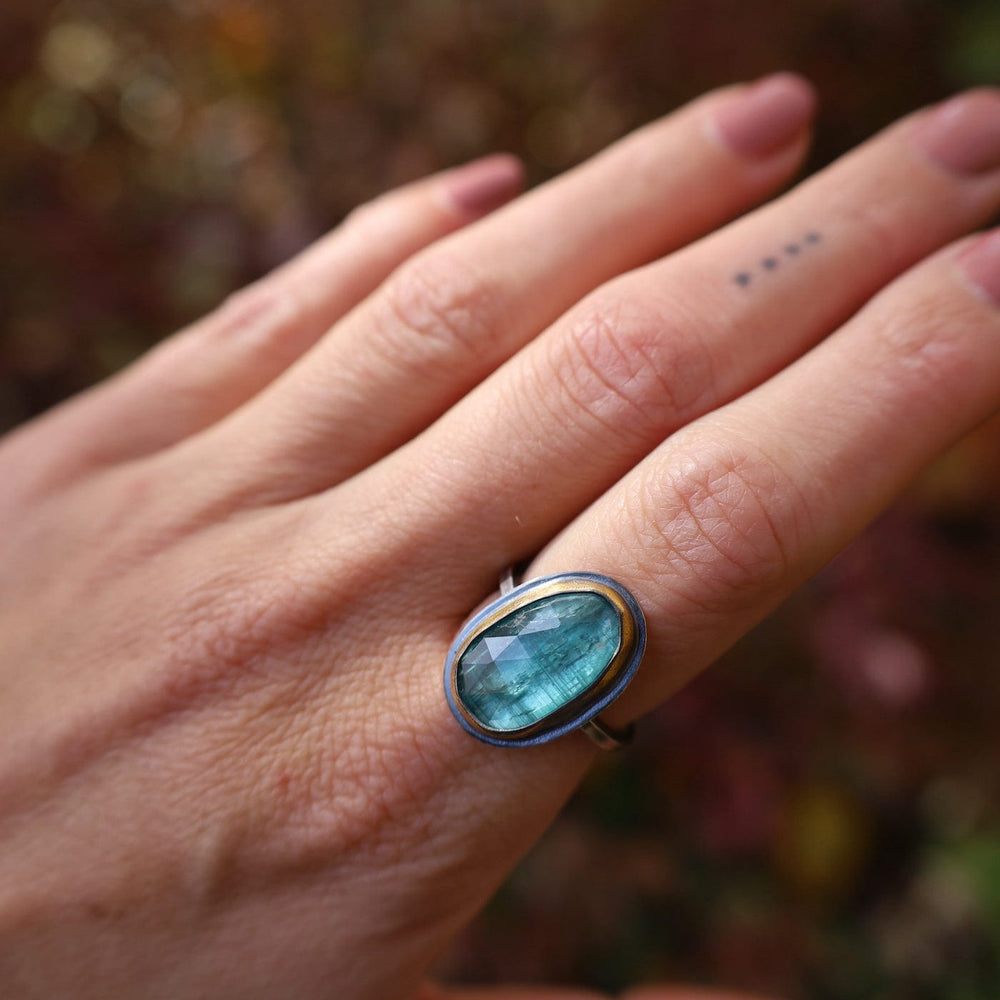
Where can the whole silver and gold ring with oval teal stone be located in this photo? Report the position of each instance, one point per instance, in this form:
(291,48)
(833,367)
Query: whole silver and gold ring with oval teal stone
(544,659)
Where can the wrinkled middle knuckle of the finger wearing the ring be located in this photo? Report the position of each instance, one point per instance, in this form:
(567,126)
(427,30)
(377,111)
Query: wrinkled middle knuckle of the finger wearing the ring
(727,518)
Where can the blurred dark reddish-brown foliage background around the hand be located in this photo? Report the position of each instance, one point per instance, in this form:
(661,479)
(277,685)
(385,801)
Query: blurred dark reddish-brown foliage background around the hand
(816,817)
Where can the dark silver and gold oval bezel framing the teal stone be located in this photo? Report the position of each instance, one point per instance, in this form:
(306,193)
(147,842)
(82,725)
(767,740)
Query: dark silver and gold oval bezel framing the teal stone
(589,703)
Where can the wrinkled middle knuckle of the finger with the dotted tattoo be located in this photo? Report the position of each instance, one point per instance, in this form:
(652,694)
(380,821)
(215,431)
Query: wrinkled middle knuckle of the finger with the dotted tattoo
(631,367)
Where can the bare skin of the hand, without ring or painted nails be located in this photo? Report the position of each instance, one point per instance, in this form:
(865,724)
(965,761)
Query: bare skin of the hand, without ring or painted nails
(230,575)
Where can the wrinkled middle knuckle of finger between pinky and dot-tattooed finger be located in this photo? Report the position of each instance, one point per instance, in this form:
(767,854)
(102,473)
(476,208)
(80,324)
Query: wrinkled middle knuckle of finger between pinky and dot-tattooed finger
(436,305)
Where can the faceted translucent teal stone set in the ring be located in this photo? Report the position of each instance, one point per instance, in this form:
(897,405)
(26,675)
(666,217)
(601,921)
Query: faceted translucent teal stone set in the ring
(537,659)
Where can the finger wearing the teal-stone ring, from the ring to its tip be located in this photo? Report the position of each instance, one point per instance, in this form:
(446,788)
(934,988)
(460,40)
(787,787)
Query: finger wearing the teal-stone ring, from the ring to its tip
(723,521)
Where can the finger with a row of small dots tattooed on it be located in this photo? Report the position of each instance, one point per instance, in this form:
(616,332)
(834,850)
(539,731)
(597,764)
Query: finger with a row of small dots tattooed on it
(657,348)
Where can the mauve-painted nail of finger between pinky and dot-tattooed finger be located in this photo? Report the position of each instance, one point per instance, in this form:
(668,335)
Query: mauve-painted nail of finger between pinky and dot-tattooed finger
(767,115)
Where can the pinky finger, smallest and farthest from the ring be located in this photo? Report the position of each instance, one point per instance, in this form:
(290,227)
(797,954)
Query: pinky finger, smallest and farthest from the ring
(203,373)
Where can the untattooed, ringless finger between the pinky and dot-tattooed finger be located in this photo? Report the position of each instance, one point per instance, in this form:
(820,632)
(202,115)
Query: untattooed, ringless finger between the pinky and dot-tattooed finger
(449,316)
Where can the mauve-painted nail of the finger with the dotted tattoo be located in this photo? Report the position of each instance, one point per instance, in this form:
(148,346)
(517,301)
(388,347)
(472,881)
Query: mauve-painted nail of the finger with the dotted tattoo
(963,134)
